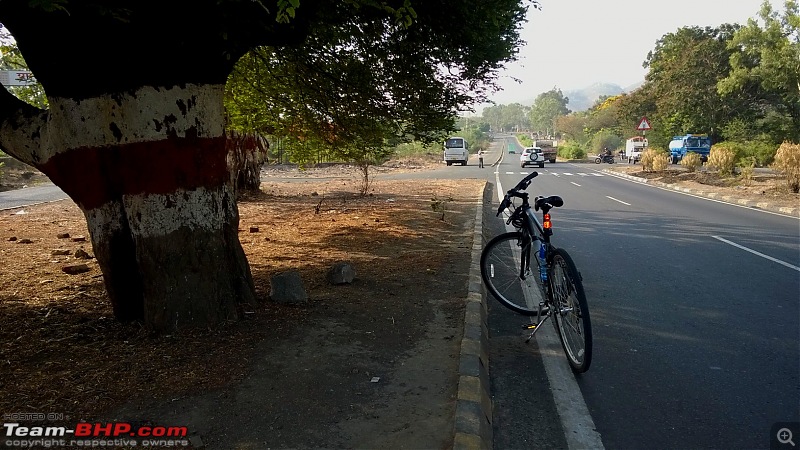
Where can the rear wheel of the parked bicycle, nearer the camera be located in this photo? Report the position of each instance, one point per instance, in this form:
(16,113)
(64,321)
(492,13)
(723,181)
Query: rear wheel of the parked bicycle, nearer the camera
(571,311)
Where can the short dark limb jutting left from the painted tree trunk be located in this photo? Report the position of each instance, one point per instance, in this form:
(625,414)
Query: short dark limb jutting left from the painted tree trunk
(21,127)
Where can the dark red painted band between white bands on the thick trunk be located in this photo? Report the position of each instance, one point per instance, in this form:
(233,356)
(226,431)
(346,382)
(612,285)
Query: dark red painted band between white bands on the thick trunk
(94,176)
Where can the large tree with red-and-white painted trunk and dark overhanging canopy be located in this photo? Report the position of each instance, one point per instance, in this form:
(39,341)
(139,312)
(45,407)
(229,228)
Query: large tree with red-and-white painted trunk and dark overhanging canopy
(136,136)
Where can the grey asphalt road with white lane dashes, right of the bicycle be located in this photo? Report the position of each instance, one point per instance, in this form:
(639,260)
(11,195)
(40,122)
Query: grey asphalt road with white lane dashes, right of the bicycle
(694,308)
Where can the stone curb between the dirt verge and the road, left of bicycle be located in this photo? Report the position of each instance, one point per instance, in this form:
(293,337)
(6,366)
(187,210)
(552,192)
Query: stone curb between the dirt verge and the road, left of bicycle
(473,417)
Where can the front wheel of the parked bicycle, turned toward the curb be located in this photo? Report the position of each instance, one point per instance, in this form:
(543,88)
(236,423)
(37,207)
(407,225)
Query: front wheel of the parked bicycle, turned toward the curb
(502,261)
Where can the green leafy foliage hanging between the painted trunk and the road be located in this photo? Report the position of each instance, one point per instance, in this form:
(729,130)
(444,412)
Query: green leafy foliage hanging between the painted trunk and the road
(370,81)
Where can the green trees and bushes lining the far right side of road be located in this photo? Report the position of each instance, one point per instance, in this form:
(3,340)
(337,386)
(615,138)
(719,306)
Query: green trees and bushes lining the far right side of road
(737,83)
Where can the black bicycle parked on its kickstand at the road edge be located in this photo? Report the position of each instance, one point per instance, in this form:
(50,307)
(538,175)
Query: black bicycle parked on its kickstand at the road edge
(506,270)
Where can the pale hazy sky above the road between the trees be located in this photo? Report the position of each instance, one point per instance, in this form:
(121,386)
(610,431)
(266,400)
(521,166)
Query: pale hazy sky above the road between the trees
(572,44)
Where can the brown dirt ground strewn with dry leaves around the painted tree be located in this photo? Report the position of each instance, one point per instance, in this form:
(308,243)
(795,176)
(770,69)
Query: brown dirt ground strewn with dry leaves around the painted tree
(372,364)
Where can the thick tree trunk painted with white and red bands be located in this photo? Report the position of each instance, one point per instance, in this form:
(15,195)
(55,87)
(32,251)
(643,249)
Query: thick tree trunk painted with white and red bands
(158,199)
